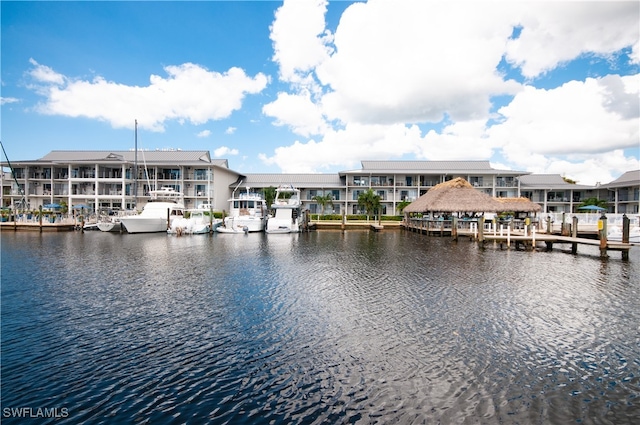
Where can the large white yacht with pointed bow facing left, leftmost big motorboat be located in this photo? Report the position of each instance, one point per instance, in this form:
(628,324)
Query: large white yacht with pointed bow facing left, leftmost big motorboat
(165,206)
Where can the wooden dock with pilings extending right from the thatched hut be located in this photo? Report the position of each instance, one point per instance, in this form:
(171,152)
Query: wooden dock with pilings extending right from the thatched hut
(526,238)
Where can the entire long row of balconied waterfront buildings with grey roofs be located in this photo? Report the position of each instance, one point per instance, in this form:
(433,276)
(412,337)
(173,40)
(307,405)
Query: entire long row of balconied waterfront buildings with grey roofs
(123,179)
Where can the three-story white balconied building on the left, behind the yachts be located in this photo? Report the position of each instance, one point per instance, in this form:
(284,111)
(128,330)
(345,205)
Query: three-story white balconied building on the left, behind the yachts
(116,180)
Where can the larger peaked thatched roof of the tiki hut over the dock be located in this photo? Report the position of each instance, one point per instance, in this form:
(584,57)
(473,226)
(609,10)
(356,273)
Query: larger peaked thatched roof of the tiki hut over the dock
(455,195)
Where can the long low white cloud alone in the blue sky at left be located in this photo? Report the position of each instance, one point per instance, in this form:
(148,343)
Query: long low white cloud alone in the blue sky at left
(189,93)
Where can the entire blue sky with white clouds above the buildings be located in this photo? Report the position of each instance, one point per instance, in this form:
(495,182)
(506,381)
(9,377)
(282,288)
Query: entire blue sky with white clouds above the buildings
(315,86)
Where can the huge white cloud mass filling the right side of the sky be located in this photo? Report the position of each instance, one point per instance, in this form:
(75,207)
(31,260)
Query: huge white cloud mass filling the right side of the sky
(396,64)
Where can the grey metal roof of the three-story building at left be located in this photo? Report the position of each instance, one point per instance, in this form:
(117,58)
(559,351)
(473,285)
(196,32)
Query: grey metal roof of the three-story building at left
(175,157)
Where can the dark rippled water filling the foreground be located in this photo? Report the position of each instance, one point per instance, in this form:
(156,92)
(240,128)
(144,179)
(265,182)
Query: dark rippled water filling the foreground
(324,327)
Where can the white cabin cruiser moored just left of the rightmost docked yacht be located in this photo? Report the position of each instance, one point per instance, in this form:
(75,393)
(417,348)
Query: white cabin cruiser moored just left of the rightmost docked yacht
(247,213)
